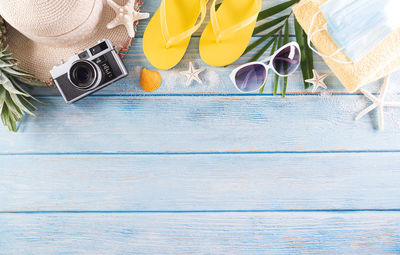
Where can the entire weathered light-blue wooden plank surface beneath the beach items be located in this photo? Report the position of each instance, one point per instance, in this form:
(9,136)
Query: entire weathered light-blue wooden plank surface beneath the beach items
(201,169)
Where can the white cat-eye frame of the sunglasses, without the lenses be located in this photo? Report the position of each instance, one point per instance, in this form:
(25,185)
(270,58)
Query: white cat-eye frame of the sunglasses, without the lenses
(266,66)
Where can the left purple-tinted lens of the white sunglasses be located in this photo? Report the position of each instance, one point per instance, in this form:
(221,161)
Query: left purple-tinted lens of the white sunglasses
(251,77)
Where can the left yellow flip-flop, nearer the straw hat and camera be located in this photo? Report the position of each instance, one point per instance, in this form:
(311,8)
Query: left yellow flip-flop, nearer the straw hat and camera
(168,34)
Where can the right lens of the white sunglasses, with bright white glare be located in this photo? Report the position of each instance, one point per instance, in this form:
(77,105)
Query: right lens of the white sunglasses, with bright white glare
(287,60)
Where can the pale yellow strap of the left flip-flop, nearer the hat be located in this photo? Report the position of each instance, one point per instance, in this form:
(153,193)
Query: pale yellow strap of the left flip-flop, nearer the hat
(171,40)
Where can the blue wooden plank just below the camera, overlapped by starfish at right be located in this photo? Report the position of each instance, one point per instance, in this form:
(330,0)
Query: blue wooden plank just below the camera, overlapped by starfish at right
(202,124)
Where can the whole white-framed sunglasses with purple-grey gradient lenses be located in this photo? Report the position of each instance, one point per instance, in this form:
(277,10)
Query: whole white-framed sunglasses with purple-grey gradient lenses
(252,76)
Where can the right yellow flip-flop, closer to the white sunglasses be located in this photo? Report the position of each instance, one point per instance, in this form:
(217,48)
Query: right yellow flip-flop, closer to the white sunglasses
(227,35)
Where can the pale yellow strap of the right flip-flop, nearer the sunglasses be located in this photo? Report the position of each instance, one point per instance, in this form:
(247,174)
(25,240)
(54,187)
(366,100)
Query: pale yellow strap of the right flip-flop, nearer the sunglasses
(220,33)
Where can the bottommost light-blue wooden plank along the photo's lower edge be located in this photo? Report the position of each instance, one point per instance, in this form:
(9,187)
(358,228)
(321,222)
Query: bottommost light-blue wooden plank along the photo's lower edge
(211,233)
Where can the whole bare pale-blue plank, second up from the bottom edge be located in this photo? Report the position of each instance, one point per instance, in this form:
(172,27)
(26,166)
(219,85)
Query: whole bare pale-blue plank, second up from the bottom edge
(322,181)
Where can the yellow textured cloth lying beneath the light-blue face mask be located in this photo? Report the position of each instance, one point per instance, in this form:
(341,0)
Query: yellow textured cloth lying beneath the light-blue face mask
(382,60)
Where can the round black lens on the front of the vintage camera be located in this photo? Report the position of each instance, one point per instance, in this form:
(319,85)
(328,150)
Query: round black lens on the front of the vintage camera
(83,74)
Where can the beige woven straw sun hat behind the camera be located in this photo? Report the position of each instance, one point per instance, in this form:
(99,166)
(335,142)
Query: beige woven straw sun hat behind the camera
(41,33)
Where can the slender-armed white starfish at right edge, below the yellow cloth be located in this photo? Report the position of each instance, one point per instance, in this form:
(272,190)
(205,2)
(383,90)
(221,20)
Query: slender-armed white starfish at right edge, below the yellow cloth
(379,103)
